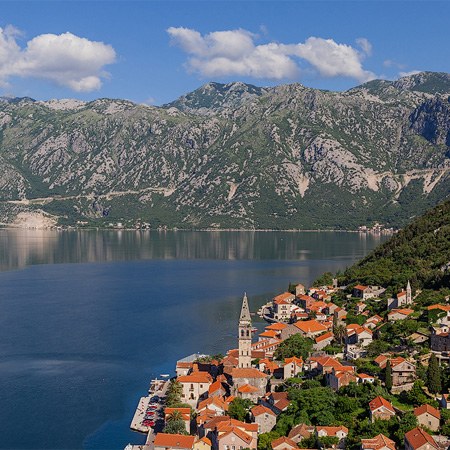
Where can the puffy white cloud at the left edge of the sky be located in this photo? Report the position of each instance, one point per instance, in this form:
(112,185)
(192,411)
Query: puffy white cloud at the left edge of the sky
(65,59)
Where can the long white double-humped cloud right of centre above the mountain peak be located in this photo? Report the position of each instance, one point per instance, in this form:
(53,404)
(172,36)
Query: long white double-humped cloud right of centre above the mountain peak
(234,52)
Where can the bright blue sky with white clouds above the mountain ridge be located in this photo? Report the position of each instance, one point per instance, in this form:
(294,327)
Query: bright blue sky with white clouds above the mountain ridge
(155,51)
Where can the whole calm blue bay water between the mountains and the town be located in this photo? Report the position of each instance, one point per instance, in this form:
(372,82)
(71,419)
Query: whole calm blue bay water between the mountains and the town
(91,317)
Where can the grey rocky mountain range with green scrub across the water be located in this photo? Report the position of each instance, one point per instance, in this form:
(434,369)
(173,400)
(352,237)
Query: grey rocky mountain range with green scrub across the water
(232,155)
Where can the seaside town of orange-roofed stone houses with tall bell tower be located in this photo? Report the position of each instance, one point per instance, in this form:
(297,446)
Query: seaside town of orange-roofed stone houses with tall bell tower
(337,367)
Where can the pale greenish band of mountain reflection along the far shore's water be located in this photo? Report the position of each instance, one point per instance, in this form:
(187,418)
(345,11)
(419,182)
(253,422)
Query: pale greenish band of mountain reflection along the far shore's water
(20,248)
